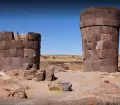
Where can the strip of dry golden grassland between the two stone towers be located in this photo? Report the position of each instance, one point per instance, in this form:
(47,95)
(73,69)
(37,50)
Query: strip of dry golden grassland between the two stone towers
(73,62)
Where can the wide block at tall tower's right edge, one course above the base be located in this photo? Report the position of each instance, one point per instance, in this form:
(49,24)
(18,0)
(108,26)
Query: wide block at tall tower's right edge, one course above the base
(107,62)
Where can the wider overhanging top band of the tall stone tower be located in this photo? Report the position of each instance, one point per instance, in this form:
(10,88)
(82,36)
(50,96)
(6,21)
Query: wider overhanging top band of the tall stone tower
(99,17)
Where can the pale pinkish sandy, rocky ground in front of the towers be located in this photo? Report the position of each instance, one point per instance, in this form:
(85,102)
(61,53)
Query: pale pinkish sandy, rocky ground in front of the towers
(92,88)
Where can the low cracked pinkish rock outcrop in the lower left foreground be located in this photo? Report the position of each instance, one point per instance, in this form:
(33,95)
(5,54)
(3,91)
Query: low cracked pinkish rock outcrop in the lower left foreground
(10,88)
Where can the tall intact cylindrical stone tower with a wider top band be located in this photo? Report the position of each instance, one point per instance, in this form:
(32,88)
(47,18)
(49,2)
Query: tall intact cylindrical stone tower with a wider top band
(100,37)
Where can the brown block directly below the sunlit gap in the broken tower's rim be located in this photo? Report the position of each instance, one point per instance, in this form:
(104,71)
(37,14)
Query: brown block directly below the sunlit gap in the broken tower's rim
(16,44)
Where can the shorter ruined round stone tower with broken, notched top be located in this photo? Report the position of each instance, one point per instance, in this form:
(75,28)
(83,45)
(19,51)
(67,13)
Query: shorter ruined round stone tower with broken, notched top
(16,50)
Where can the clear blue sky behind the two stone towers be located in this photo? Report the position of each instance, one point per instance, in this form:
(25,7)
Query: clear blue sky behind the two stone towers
(58,25)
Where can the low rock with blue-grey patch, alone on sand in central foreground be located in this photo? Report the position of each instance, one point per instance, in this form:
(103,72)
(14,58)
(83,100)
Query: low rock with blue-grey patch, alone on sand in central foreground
(60,86)
